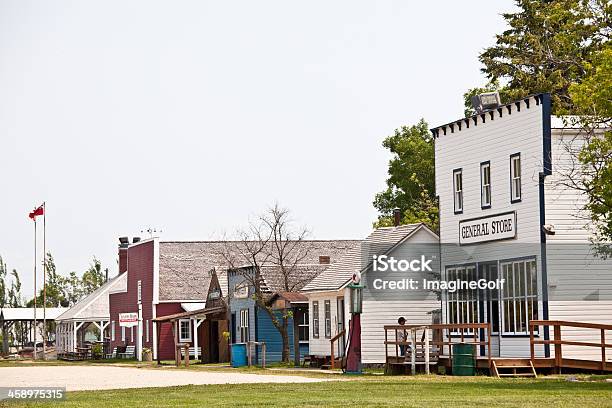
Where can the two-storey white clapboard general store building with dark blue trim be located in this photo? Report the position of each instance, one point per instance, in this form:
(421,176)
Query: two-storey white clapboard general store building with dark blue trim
(506,213)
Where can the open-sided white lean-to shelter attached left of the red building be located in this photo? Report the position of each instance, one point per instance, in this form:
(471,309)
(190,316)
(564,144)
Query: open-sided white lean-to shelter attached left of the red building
(93,309)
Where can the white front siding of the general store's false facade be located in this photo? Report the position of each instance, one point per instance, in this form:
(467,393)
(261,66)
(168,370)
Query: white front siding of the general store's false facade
(495,141)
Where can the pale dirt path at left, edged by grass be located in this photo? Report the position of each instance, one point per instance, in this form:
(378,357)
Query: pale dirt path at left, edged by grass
(76,378)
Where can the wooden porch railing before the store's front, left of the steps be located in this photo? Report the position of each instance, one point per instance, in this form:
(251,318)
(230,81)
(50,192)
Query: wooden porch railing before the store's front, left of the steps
(478,334)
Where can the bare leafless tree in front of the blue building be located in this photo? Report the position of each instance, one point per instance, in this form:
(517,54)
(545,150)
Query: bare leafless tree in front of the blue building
(271,244)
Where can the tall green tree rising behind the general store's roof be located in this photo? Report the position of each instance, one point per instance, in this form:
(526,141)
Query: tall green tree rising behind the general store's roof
(546,48)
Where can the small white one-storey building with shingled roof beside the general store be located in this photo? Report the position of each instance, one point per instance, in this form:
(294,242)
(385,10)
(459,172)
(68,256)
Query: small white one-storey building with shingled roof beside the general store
(329,297)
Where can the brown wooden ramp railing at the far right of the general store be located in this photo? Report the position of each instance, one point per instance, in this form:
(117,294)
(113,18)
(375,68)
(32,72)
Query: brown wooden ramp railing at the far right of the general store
(558,341)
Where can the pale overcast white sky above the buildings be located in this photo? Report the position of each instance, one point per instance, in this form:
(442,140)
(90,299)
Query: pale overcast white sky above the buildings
(192,116)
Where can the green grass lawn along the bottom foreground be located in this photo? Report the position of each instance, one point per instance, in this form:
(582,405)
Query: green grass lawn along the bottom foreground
(419,391)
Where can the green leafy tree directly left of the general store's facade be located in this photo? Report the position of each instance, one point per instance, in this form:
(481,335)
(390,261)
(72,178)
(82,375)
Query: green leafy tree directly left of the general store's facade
(410,185)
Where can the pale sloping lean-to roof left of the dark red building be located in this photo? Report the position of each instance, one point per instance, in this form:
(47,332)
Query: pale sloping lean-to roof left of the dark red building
(96,305)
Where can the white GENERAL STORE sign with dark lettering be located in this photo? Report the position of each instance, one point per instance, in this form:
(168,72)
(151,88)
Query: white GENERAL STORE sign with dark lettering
(484,229)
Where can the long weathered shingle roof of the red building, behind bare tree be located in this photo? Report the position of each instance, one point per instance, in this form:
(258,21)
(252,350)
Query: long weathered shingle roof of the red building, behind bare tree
(185,267)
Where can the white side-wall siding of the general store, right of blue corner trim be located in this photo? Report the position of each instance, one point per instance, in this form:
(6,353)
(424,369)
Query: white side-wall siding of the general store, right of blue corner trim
(574,272)
